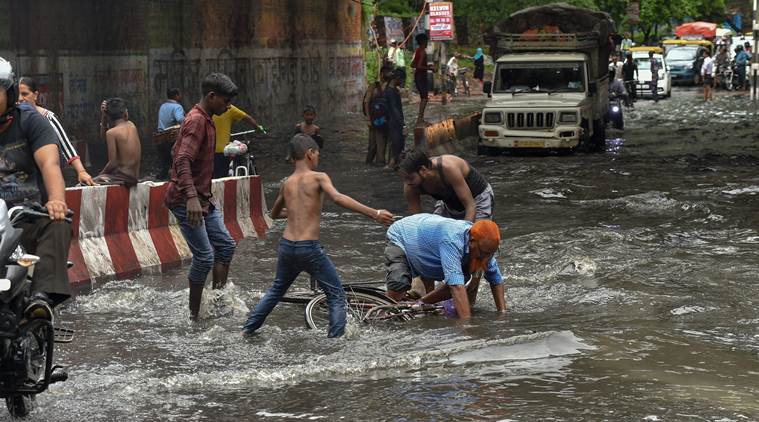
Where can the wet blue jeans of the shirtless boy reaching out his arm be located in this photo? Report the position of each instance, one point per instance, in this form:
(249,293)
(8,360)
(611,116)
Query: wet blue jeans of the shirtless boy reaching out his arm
(294,258)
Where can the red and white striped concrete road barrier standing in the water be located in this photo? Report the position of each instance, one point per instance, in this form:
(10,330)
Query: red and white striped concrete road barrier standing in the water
(119,231)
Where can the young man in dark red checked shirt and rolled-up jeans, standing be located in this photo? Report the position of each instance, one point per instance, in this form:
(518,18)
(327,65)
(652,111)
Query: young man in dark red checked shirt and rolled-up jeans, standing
(189,193)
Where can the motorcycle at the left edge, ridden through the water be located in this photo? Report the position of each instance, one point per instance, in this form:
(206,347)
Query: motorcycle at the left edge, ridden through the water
(27,331)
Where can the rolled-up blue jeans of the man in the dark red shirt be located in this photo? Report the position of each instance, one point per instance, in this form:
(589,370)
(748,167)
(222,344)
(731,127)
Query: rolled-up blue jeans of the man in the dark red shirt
(209,242)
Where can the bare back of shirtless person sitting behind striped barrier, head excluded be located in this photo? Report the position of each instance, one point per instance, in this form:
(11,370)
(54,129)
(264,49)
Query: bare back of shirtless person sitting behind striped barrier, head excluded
(124,152)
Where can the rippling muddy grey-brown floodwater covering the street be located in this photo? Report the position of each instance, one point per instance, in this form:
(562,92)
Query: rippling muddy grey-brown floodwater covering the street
(631,287)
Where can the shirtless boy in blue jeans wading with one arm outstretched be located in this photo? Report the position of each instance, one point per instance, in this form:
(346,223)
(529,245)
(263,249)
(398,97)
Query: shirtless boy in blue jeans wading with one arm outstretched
(300,201)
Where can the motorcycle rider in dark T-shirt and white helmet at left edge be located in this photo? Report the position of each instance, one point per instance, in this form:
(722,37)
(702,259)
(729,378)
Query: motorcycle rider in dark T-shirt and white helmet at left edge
(30,172)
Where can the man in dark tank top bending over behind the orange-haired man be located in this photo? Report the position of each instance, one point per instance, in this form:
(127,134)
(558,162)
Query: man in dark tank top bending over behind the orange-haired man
(460,190)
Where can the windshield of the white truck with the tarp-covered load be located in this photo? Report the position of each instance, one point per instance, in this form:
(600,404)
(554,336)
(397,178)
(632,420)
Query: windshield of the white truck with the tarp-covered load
(540,77)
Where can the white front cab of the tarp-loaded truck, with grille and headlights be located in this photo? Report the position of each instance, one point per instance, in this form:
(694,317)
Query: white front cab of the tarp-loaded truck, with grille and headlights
(538,100)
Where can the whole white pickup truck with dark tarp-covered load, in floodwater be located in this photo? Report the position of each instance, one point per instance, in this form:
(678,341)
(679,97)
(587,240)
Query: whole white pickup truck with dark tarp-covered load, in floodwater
(550,84)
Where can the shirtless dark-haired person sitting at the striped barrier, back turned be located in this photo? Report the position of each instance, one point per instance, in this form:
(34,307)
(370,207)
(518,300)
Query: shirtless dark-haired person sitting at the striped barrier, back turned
(124,147)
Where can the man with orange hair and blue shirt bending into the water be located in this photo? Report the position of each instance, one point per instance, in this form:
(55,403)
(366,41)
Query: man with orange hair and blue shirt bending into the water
(438,248)
